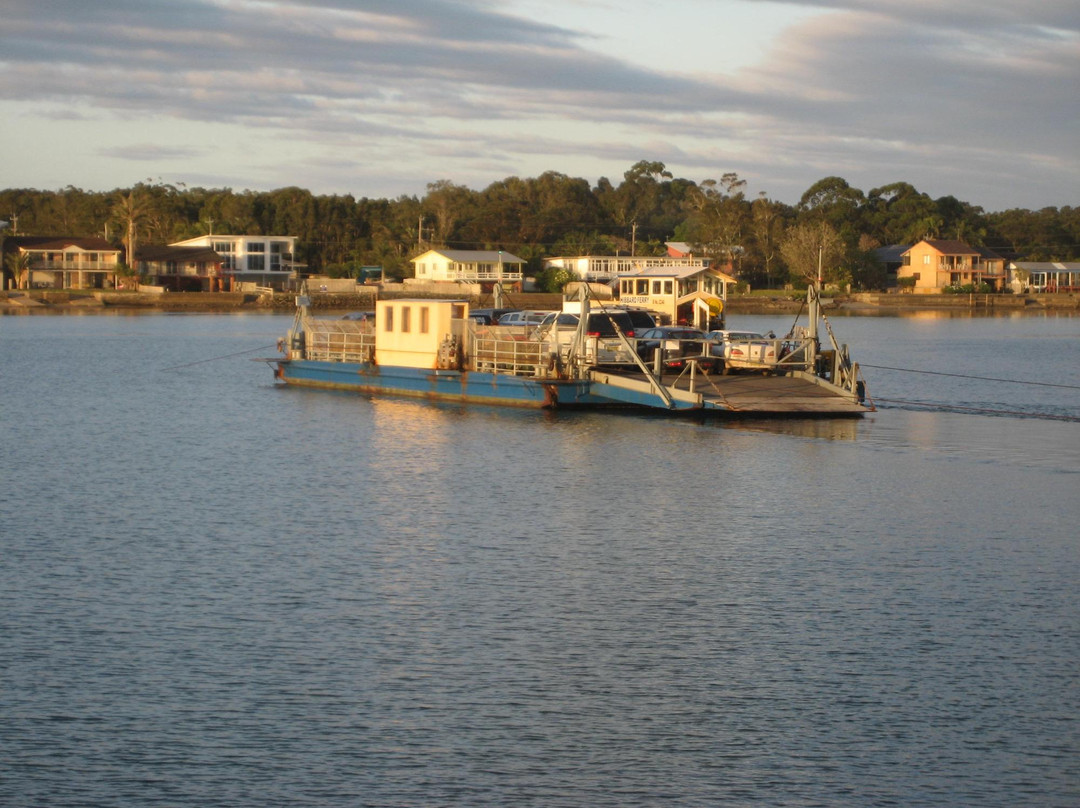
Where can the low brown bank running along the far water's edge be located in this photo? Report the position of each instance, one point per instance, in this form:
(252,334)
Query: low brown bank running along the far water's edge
(883,304)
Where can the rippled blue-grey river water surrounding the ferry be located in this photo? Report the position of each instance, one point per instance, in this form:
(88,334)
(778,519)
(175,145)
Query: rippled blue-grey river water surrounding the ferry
(215,591)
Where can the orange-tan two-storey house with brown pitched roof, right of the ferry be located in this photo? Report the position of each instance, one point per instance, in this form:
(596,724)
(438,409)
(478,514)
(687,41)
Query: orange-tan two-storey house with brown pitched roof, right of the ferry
(936,264)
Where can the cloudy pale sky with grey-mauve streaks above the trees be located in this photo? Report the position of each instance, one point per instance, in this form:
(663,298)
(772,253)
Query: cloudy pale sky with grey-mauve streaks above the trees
(973,99)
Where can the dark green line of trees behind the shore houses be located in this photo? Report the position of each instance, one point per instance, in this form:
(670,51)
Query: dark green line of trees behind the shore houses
(765,243)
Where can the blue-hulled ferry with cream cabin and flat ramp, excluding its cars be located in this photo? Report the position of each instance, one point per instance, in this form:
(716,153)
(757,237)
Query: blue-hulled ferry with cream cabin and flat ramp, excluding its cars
(433,349)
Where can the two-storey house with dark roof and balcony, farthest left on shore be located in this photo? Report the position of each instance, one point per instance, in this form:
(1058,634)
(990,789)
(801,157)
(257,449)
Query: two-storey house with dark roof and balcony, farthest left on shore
(62,262)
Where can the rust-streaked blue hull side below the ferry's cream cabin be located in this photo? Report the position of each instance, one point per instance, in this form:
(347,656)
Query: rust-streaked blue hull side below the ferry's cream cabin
(450,386)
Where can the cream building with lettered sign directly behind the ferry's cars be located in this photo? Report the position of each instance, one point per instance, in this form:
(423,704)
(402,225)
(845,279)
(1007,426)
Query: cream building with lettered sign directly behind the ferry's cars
(679,294)
